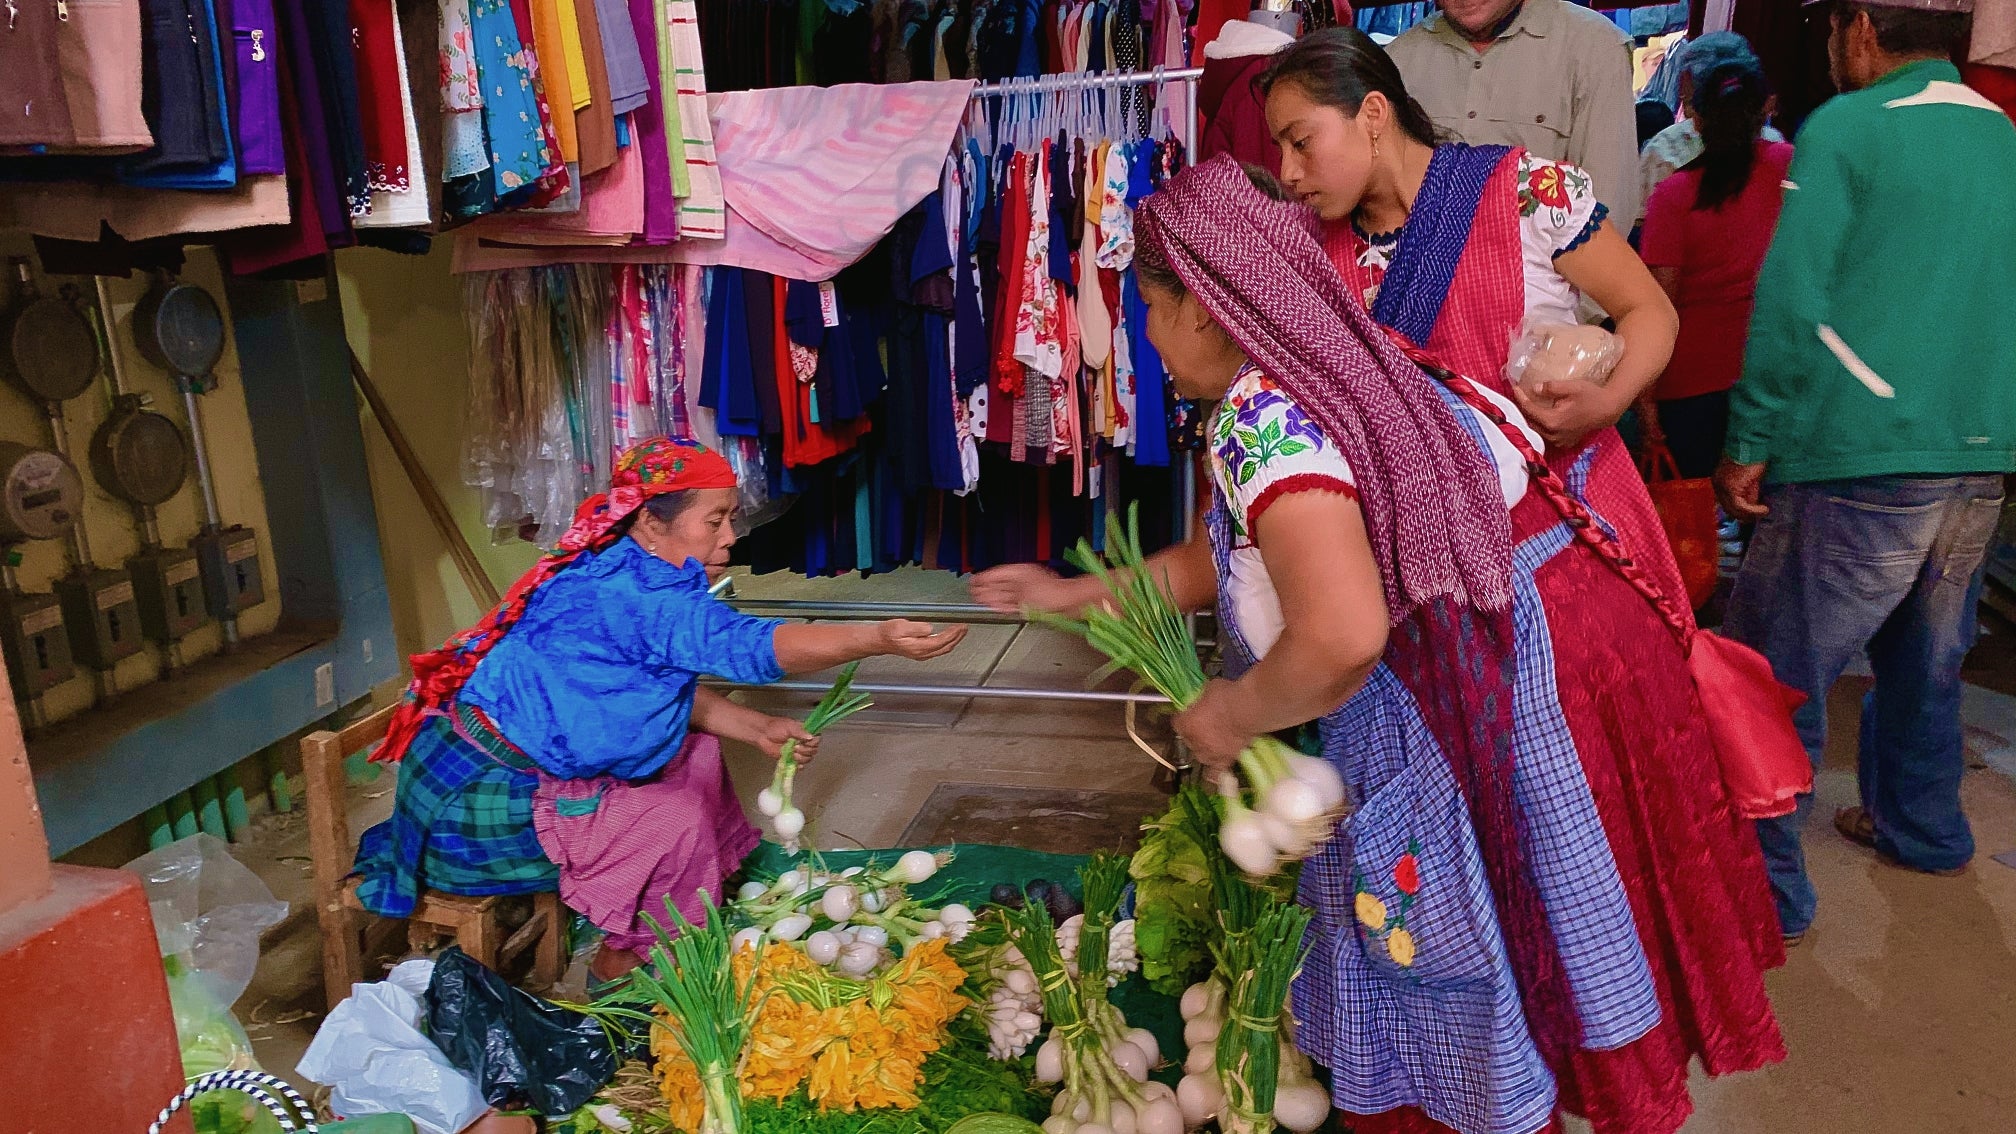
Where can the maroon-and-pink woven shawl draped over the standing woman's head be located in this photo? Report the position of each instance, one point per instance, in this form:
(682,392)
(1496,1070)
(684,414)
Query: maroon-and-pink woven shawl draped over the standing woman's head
(1432,507)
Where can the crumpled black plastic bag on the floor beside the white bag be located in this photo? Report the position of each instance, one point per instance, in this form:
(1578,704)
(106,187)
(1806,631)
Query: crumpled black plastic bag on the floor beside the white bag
(525,1052)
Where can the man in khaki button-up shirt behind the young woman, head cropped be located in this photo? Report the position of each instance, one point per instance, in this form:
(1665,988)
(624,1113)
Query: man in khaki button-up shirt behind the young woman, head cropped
(1545,76)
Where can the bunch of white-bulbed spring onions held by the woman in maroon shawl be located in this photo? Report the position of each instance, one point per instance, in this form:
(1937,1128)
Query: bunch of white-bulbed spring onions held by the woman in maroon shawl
(1289,804)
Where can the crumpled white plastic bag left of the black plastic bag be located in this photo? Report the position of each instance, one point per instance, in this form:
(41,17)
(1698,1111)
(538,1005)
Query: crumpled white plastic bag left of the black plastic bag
(376,1060)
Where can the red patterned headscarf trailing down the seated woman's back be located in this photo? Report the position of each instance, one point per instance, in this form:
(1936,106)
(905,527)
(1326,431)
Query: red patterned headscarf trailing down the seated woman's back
(648,469)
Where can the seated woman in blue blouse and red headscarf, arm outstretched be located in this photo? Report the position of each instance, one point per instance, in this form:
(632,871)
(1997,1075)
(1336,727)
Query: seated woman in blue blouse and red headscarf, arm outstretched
(565,740)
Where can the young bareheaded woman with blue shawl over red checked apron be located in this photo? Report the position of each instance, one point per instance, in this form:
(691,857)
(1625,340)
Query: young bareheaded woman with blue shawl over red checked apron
(1457,247)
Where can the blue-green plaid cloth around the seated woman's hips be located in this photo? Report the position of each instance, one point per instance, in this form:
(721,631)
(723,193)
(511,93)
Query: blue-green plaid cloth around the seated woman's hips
(463,822)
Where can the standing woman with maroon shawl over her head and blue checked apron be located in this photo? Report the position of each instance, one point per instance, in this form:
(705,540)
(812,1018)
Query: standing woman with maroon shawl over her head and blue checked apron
(1541,899)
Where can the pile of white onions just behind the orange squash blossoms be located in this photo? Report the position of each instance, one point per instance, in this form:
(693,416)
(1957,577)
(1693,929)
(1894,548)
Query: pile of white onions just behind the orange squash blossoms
(856,921)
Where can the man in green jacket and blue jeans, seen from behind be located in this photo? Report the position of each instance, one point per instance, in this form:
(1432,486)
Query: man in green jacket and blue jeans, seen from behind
(1876,421)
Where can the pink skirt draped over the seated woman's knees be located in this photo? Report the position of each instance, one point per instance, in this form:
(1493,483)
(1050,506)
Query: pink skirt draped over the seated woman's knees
(626,846)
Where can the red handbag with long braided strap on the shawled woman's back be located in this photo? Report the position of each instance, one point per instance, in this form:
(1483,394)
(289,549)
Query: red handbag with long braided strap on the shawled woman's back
(1749,709)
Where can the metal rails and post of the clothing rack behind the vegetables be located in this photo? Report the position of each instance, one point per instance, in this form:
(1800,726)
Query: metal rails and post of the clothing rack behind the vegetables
(1186,128)
